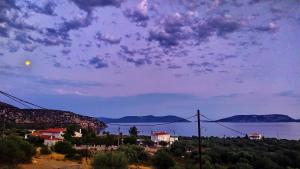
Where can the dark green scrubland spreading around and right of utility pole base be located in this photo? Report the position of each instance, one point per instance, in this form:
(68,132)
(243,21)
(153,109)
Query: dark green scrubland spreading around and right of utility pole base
(240,153)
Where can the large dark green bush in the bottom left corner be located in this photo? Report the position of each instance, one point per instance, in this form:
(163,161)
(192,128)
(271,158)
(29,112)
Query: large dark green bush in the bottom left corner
(14,150)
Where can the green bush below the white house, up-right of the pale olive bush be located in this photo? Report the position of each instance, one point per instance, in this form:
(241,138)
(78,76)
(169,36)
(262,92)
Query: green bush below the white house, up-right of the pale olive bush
(134,154)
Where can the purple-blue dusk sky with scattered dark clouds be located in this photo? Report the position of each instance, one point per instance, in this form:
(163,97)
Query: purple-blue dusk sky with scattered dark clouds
(112,58)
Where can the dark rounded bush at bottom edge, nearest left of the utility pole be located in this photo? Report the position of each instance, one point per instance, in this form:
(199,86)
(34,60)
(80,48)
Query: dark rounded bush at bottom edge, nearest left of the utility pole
(163,160)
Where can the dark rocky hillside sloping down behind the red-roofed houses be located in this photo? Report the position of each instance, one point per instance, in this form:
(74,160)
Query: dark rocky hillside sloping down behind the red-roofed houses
(41,118)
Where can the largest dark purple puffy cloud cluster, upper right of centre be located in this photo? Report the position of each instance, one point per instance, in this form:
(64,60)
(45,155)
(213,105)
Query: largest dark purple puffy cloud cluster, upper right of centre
(177,28)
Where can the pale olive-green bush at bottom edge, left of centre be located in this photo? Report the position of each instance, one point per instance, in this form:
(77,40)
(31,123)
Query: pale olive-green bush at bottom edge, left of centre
(111,160)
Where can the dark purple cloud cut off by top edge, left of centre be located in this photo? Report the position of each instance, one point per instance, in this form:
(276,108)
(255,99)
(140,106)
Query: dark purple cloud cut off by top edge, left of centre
(88,5)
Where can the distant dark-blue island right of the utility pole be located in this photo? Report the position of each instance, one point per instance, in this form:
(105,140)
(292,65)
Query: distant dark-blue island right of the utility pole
(270,118)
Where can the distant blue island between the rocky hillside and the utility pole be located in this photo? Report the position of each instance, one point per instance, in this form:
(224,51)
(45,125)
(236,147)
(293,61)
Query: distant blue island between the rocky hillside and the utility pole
(143,119)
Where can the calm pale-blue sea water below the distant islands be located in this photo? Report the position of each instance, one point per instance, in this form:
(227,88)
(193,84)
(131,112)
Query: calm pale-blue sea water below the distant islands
(276,130)
